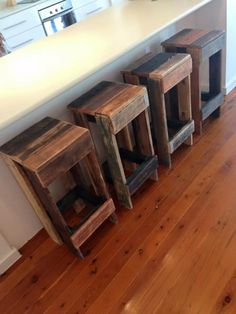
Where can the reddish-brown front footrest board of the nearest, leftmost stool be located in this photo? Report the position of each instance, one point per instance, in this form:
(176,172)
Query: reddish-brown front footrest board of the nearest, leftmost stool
(92,223)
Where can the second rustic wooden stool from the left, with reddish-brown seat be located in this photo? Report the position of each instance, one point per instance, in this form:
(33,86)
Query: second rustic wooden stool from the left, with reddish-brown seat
(114,107)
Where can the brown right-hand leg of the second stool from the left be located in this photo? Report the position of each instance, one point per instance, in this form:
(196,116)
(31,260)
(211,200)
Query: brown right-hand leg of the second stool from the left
(144,138)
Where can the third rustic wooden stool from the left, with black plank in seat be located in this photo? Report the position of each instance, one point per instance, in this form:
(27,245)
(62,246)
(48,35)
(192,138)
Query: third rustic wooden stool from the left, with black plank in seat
(165,75)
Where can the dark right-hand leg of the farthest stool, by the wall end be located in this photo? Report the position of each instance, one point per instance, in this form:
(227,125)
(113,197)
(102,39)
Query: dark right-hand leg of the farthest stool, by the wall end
(215,77)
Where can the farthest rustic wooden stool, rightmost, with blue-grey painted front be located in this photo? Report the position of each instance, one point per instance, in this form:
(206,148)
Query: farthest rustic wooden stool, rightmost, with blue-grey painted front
(202,45)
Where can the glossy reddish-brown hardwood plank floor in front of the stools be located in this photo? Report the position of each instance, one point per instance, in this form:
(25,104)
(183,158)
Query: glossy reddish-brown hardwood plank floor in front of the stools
(175,252)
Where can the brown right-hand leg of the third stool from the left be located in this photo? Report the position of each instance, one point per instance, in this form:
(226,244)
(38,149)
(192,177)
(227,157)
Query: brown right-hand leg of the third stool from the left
(184,103)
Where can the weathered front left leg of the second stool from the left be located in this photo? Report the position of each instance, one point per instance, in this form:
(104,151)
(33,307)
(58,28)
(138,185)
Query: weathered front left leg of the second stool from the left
(115,163)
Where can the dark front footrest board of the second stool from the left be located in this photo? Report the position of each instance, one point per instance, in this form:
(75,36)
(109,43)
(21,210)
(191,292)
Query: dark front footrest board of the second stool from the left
(141,174)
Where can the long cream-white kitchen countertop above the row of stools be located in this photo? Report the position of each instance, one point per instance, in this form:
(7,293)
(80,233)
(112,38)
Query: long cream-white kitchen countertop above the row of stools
(35,74)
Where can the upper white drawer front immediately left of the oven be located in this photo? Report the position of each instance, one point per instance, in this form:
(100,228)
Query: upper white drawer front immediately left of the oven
(19,22)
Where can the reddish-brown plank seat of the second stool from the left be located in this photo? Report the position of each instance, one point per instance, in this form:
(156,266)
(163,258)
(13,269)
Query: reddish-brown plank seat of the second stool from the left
(119,103)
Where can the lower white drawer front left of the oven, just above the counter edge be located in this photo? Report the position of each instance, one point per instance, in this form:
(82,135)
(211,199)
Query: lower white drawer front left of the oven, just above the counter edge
(25,38)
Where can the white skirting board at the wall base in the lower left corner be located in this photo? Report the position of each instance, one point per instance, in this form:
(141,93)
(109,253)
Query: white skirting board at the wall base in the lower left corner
(8,255)
